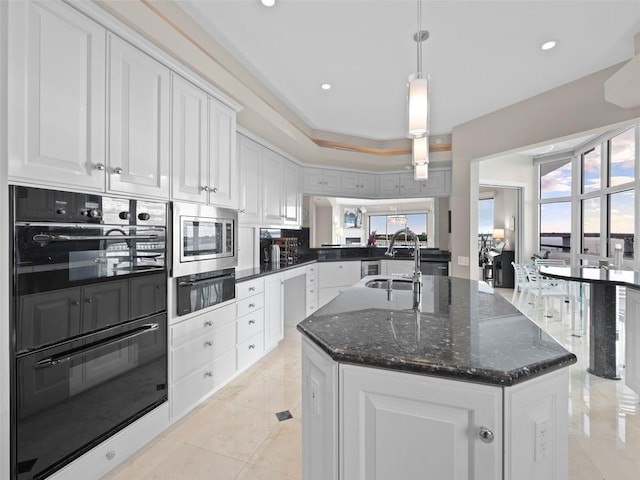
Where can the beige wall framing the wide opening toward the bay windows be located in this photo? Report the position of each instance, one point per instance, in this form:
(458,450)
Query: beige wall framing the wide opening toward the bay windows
(574,109)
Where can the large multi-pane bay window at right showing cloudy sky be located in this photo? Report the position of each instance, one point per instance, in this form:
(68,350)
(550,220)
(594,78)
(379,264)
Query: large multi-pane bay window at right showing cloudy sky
(601,204)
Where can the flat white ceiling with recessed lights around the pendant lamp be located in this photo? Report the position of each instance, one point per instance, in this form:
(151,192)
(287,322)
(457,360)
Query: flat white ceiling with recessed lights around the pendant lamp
(481,55)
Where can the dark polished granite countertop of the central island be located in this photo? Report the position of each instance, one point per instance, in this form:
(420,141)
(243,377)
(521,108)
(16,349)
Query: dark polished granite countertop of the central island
(463,332)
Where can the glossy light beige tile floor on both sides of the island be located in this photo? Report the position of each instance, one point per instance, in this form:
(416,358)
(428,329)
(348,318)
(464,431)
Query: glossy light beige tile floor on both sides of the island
(236,435)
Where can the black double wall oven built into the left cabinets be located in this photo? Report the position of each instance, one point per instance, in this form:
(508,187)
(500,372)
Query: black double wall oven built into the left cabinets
(89,322)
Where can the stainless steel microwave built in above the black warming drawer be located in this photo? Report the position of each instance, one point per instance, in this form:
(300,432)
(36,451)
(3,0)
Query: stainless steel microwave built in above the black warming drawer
(204,238)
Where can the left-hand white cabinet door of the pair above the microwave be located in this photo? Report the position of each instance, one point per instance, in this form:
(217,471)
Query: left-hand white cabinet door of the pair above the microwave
(190,143)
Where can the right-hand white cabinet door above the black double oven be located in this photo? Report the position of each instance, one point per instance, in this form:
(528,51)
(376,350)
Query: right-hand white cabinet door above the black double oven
(138,122)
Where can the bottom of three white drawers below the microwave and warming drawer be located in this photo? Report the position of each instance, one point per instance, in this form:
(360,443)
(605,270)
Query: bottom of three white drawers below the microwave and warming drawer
(191,389)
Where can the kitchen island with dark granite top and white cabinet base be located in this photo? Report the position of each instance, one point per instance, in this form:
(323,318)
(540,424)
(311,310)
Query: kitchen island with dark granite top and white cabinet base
(456,385)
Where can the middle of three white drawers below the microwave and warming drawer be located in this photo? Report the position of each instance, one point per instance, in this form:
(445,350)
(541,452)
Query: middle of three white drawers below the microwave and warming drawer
(192,355)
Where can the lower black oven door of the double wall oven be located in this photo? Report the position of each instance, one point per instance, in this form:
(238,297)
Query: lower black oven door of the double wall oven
(72,396)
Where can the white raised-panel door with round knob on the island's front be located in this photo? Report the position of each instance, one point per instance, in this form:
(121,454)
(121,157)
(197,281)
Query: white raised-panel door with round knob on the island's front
(399,425)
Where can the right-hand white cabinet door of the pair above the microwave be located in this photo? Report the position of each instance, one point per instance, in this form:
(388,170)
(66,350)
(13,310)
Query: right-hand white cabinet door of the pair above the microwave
(222,155)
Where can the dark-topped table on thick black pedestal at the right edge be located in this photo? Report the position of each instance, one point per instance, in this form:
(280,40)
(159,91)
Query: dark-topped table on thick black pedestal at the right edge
(603,281)
